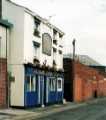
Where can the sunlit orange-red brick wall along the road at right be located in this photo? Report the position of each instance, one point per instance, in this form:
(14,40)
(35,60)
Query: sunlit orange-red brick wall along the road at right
(88,83)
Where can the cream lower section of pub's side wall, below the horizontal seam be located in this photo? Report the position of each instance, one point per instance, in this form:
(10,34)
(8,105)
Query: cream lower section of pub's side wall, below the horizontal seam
(17,86)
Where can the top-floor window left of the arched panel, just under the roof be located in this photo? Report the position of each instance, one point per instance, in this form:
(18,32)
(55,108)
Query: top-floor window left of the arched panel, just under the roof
(37,27)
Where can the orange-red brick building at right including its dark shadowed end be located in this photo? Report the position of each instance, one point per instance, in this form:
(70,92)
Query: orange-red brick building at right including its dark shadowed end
(82,82)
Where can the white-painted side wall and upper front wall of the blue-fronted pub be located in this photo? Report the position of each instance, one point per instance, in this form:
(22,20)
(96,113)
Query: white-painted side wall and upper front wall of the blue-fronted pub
(21,47)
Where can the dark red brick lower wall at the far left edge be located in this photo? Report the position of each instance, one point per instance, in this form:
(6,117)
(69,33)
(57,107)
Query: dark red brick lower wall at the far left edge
(3,82)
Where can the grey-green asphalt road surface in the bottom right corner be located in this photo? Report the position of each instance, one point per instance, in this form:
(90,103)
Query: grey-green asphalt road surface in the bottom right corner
(94,111)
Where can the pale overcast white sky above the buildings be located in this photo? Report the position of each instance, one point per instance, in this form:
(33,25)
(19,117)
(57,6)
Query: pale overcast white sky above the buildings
(84,20)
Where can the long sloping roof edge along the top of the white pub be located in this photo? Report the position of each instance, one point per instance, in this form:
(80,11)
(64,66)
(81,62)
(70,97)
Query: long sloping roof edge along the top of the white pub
(45,21)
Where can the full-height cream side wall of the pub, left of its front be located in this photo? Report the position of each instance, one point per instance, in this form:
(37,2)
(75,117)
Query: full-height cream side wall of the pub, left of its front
(15,15)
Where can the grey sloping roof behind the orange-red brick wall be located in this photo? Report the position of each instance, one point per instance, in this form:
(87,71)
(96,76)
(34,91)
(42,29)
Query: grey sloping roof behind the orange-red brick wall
(84,59)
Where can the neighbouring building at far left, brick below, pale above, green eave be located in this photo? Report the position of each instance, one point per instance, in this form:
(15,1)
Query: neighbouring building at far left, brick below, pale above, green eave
(4,39)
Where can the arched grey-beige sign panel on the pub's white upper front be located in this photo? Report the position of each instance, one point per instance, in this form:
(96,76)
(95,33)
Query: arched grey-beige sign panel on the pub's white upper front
(46,44)
